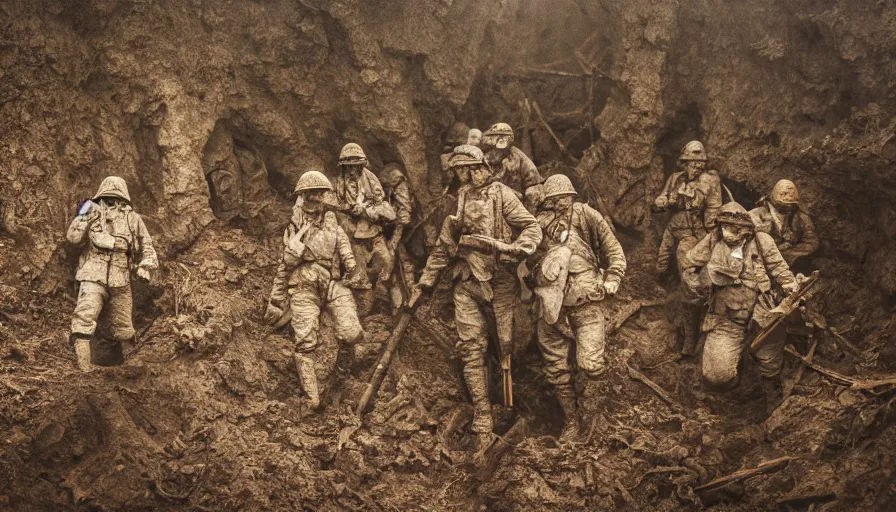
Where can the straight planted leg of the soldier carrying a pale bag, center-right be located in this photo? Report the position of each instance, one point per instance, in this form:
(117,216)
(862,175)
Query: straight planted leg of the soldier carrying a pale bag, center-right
(554,348)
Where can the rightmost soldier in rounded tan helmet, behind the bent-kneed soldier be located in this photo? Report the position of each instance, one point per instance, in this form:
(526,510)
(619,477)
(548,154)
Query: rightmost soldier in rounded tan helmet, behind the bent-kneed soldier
(780,216)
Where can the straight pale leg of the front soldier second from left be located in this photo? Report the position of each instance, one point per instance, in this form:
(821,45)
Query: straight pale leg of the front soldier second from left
(306,303)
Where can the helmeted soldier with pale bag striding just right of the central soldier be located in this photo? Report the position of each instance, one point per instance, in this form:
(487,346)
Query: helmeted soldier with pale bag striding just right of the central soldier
(580,263)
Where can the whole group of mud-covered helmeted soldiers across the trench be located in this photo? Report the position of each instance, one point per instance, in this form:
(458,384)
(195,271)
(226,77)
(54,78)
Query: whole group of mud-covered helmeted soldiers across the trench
(346,241)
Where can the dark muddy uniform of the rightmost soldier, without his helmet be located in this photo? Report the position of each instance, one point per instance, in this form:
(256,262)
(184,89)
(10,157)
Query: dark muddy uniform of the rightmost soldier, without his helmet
(793,233)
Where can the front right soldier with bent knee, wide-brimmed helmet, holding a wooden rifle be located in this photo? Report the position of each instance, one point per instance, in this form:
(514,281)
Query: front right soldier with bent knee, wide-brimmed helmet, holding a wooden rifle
(734,266)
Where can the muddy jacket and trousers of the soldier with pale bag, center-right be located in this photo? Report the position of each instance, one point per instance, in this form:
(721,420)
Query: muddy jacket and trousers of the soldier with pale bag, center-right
(576,313)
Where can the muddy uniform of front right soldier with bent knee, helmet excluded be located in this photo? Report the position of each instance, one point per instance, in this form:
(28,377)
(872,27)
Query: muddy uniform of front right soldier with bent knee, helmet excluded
(741,295)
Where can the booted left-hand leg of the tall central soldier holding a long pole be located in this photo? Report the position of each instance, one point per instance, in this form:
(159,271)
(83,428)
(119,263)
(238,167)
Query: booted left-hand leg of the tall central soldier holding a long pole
(471,347)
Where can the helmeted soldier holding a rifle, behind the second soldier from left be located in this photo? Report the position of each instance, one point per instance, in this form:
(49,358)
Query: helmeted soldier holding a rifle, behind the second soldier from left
(361,200)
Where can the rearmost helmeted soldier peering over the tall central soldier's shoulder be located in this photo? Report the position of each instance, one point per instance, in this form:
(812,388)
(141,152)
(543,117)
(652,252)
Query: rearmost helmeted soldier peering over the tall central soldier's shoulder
(512,167)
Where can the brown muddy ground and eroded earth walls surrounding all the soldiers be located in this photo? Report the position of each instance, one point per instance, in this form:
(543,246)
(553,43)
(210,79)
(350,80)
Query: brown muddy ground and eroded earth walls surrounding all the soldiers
(206,414)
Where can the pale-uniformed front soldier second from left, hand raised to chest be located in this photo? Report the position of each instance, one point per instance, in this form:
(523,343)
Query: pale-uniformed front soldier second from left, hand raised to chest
(316,255)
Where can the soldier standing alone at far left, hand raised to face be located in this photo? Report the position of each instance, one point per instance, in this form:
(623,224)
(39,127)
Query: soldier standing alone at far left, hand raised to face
(114,239)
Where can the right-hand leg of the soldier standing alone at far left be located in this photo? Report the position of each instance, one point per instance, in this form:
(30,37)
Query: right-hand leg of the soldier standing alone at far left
(117,321)
